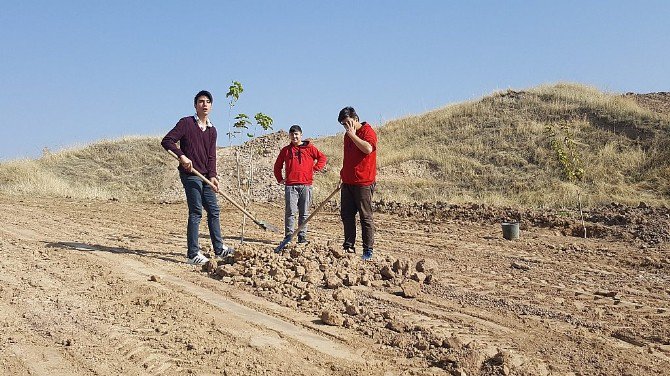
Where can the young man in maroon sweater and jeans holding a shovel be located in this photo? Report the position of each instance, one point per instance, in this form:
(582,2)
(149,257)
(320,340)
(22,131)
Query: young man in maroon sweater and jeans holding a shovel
(197,151)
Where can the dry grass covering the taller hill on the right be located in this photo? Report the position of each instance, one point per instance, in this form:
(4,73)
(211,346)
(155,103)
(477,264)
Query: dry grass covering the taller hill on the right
(496,150)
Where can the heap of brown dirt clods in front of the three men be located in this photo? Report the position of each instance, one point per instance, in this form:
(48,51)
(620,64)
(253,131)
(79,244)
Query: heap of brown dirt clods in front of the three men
(341,289)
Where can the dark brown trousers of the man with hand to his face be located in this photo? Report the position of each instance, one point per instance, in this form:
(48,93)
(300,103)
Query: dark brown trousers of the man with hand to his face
(357,199)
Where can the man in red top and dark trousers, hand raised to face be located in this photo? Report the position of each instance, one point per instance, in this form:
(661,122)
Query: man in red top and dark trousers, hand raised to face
(358,175)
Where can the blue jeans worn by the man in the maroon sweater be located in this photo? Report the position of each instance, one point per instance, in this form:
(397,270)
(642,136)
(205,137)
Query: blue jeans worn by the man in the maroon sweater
(199,195)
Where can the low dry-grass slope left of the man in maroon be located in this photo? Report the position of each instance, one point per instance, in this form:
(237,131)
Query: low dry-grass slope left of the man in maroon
(129,168)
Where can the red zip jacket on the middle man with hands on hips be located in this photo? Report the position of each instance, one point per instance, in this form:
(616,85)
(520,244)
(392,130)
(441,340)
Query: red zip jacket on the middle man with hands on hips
(301,162)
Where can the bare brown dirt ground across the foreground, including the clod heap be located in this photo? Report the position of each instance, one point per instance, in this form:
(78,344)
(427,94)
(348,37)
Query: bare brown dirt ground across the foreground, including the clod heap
(100,288)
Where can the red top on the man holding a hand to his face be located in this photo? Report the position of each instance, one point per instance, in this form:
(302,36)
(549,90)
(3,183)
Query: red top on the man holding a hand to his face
(359,168)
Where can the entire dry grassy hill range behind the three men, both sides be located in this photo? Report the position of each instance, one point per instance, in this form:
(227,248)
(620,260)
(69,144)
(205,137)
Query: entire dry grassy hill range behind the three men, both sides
(495,150)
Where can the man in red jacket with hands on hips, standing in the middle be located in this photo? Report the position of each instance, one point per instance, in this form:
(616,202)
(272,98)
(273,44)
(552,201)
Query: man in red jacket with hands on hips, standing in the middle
(301,159)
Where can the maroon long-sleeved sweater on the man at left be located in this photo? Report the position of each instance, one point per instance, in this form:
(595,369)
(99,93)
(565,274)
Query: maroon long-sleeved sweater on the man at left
(198,146)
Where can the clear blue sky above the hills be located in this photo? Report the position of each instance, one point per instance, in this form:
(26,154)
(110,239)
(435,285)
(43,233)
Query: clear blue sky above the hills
(73,72)
